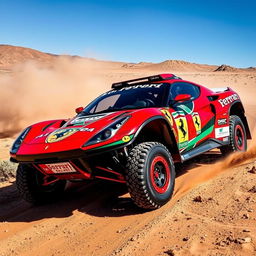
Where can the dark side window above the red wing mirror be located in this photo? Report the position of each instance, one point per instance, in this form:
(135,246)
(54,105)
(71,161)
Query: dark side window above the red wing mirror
(184,88)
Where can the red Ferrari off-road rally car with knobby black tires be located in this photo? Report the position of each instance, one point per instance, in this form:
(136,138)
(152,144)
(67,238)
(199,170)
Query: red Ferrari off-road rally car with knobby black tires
(132,134)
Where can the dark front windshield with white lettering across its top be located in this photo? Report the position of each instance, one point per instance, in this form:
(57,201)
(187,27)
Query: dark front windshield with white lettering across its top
(139,96)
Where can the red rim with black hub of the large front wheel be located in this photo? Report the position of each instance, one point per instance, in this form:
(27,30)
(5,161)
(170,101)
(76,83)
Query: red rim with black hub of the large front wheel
(160,174)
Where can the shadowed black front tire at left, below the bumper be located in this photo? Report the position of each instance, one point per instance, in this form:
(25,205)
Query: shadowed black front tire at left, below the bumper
(29,184)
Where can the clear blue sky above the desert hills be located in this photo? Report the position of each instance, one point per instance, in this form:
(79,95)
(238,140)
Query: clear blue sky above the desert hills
(207,32)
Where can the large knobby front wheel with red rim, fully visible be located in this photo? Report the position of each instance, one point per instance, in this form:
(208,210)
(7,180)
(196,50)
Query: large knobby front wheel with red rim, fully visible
(150,175)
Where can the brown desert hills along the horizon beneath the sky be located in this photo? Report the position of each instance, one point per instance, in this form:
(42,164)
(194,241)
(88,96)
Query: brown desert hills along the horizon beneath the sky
(12,55)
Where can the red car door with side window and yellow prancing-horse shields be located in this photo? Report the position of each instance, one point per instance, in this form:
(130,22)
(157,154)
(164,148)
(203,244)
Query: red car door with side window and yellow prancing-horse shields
(190,116)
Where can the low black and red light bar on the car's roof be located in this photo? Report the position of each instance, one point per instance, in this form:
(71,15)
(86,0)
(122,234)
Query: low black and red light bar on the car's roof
(156,78)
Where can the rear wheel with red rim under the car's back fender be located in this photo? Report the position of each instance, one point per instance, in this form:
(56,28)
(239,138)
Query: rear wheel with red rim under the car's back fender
(237,141)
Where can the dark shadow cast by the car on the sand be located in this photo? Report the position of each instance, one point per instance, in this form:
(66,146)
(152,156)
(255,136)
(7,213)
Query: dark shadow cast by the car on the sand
(98,198)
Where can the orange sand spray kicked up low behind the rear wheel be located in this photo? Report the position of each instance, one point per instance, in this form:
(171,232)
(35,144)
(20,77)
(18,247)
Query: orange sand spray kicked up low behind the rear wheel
(199,175)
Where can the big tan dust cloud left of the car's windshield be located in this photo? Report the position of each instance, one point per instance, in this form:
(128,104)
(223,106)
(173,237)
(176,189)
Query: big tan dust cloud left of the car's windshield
(34,92)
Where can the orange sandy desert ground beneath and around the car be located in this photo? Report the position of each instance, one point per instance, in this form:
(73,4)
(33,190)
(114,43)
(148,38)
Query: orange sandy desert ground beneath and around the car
(214,215)
